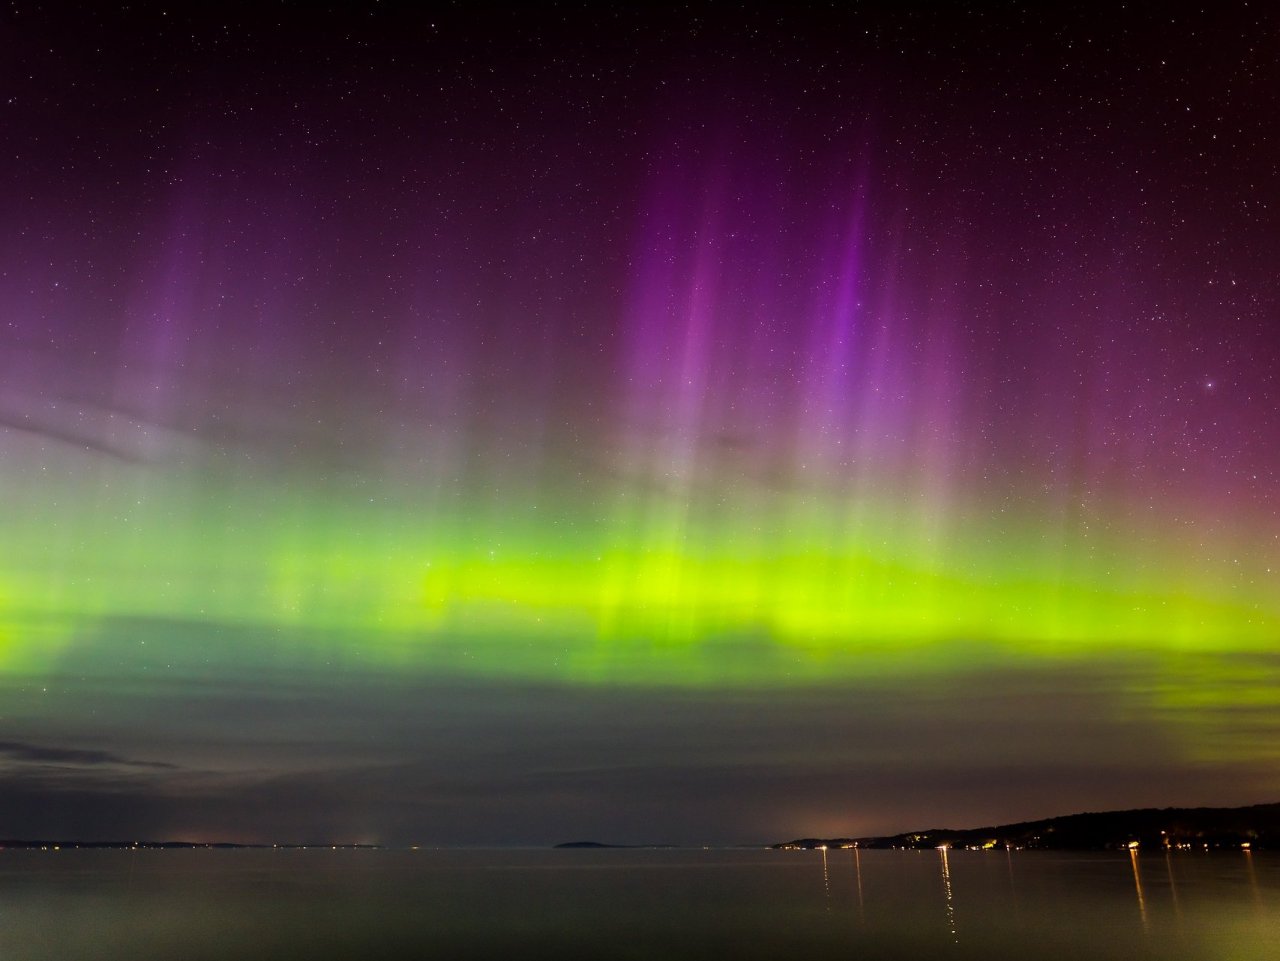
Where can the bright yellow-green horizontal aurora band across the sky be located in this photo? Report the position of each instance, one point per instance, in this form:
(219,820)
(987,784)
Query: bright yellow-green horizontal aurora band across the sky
(785,597)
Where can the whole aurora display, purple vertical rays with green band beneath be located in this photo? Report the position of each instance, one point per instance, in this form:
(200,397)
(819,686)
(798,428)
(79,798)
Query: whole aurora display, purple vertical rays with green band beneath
(834,460)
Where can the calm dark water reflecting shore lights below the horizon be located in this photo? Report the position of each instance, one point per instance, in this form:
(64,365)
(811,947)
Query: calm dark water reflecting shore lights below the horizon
(620,904)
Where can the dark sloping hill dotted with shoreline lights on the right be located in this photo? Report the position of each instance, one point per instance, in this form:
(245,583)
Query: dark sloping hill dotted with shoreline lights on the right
(1181,829)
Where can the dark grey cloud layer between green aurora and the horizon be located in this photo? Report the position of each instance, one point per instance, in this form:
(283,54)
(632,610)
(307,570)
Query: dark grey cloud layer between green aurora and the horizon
(280,754)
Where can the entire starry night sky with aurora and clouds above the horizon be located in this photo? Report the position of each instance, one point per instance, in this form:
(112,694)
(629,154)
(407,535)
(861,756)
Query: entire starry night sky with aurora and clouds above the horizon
(482,425)
